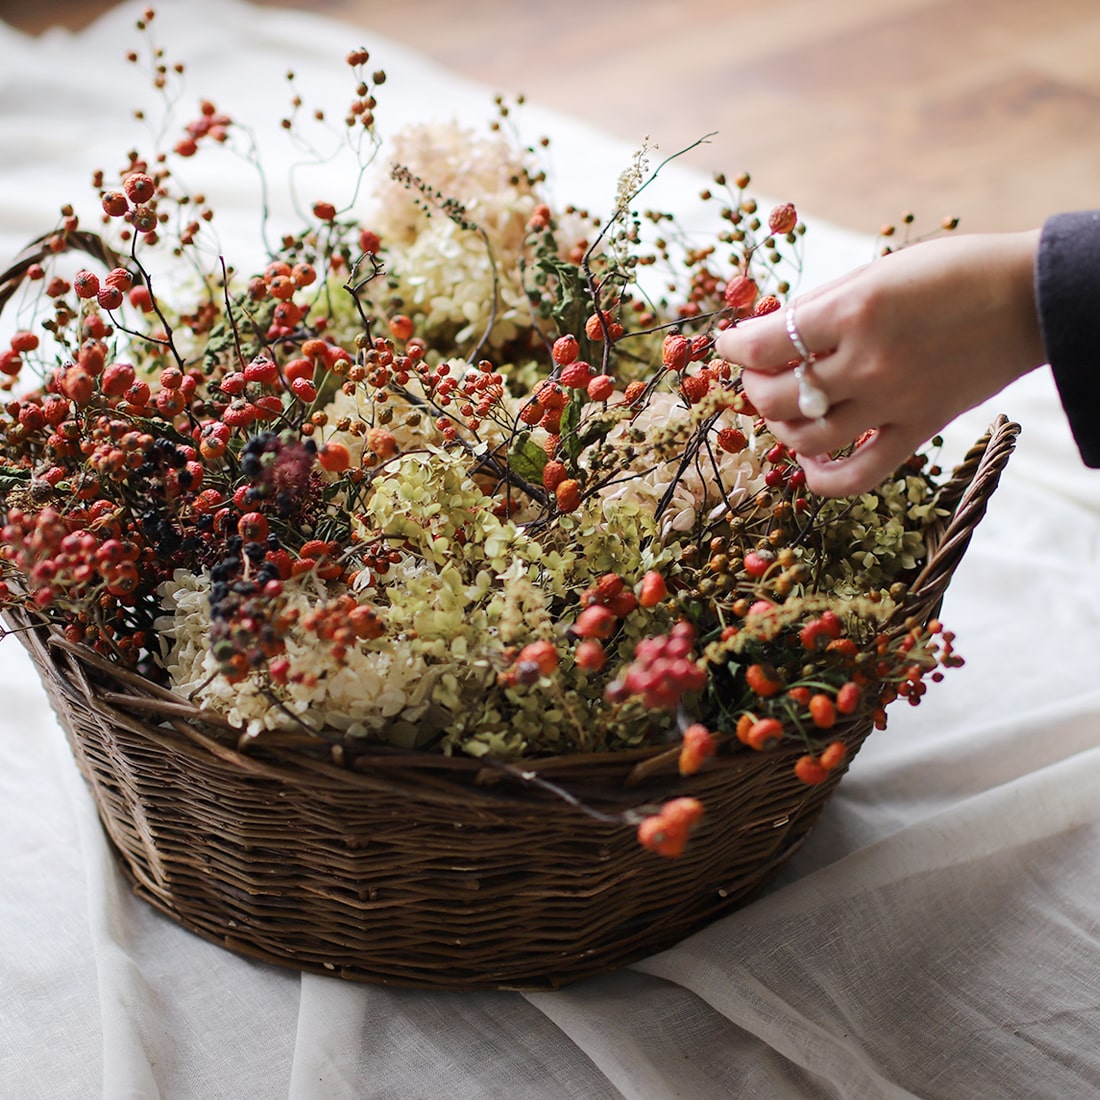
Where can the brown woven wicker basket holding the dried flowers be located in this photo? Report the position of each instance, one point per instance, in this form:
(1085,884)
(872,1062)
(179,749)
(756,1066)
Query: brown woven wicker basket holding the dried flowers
(417,870)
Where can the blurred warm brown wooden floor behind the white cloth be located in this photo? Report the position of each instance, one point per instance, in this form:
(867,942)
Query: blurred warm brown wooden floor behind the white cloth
(854,109)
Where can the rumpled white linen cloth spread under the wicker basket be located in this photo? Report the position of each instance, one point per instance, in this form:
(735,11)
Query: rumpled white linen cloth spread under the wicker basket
(938,938)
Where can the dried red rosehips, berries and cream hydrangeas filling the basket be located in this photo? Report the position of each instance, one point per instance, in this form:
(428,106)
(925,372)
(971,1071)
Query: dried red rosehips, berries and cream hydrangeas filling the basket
(457,470)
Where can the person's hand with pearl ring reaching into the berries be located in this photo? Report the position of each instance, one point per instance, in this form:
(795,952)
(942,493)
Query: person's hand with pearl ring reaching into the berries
(903,347)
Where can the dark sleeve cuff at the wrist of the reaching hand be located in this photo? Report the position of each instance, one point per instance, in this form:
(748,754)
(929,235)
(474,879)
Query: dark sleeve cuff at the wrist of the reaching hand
(1068,292)
